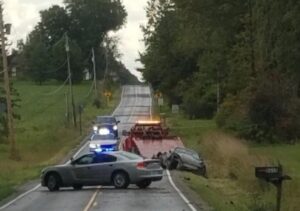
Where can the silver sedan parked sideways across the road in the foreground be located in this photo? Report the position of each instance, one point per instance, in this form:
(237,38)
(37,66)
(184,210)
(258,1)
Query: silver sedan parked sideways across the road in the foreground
(108,168)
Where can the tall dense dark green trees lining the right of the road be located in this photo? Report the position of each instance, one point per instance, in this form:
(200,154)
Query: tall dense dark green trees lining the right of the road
(235,61)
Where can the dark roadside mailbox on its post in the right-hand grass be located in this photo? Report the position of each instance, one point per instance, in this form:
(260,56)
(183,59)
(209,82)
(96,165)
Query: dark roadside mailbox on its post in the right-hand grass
(274,175)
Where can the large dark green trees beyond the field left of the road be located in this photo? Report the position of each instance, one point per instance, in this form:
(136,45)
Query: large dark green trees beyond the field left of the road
(42,56)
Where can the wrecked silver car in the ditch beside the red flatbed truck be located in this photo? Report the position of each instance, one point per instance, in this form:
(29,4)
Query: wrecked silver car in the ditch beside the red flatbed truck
(183,159)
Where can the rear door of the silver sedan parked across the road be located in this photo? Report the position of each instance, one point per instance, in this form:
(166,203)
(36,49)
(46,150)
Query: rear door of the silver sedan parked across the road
(102,168)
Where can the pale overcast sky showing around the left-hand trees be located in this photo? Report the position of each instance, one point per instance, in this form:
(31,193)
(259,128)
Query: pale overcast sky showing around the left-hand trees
(24,14)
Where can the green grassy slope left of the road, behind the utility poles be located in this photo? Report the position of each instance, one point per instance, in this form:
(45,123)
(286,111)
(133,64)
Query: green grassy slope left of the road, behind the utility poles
(43,136)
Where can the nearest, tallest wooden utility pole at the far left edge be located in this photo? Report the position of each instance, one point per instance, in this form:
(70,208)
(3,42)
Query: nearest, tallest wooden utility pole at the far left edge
(10,120)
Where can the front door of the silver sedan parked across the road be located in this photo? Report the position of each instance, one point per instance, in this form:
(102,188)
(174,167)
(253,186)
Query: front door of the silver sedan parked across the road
(81,167)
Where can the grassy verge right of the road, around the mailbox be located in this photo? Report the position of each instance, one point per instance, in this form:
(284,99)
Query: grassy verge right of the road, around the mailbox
(231,183)
